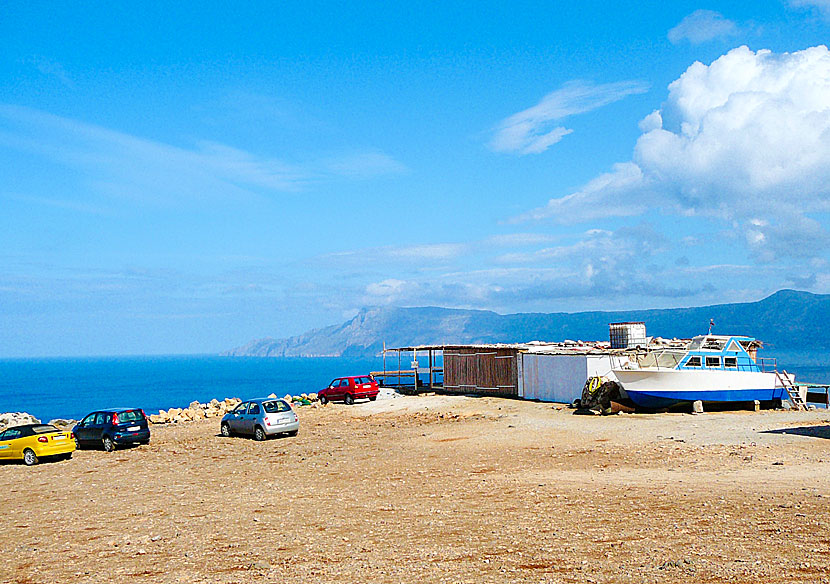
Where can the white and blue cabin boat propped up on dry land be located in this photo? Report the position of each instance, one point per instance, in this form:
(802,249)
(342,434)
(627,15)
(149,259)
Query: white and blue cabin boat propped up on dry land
(714,368)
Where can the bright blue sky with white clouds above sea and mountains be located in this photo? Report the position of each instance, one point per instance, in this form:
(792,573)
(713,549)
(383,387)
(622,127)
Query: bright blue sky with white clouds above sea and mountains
(182,179)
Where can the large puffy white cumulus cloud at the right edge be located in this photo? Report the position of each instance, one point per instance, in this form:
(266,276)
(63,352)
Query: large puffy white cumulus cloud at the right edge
(745,139)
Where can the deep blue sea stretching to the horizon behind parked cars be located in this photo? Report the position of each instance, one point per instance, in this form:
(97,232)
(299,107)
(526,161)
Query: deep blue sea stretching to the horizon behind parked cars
(70,388)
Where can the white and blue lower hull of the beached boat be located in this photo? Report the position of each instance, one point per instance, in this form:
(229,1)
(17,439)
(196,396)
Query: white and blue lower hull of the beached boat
(662,388)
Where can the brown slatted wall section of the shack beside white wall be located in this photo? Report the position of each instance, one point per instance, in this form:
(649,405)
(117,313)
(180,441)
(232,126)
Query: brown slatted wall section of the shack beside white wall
(482,371)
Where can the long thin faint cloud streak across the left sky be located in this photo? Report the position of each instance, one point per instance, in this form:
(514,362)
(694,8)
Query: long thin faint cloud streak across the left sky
(118,164)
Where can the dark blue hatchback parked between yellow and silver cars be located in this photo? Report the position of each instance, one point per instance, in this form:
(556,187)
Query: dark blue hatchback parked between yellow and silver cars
(112,428)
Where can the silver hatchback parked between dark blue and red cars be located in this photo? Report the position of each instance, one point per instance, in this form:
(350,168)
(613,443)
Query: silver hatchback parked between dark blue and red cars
(261,418)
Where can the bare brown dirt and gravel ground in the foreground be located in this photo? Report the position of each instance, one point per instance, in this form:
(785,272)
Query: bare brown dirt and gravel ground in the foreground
(436,489)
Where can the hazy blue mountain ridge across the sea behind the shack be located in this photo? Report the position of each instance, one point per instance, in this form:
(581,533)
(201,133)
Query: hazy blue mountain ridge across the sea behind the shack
(788,321)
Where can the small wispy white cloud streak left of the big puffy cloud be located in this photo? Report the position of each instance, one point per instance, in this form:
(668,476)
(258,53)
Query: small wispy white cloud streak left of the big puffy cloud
(535,129)
